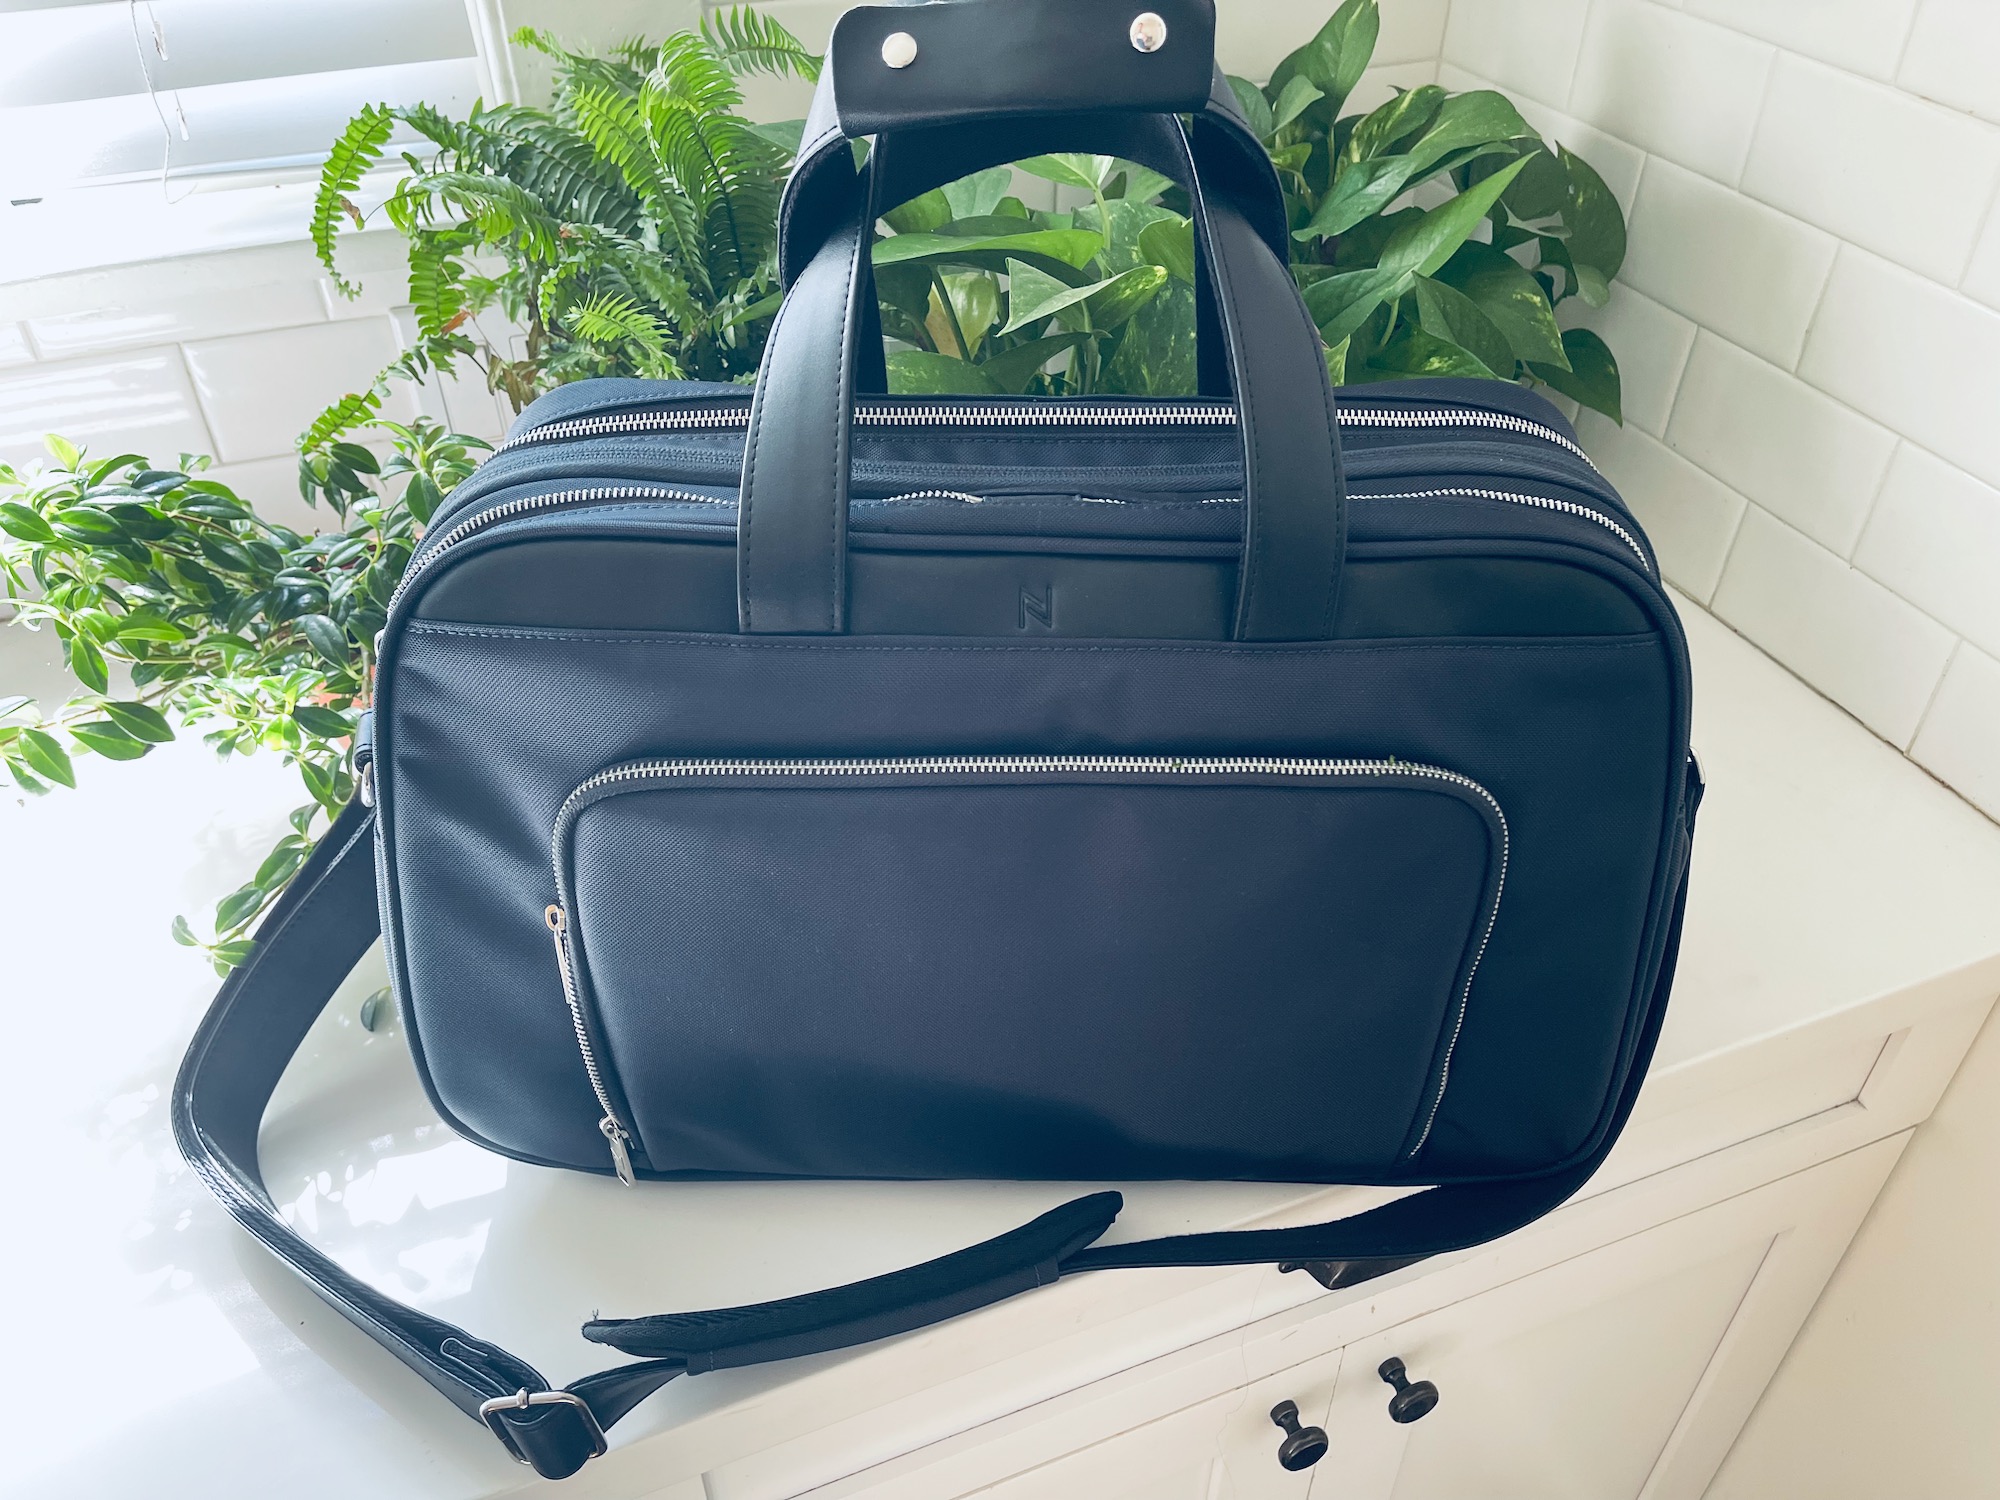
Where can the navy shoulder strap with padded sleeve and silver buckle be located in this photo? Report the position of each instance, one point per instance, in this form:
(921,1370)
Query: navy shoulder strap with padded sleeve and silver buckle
(321,929)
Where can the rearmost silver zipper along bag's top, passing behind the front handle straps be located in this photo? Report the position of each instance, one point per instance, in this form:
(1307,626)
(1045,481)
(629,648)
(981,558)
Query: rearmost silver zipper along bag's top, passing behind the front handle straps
(1083,415)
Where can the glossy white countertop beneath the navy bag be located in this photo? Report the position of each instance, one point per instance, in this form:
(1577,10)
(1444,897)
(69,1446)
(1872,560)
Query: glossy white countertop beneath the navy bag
(153,1349)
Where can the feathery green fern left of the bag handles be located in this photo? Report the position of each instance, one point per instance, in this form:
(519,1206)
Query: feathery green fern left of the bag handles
(629,229)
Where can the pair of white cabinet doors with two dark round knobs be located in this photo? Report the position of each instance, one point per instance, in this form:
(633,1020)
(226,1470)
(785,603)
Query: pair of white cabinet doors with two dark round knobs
(1619,1373)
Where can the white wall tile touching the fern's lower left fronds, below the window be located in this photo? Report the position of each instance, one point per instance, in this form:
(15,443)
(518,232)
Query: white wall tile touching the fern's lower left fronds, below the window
(261,391)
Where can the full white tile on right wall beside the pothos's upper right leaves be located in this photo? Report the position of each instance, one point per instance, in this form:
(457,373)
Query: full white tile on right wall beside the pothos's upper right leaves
(1725,261)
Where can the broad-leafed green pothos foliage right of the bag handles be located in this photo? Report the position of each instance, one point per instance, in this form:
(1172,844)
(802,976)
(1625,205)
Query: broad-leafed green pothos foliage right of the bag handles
(1467,285)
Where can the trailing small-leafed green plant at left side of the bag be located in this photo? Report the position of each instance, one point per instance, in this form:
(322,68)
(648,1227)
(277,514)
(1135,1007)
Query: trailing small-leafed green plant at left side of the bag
(179,609)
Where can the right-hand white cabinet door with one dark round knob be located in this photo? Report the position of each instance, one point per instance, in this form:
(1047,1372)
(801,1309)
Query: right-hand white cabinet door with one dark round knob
(1621,1375)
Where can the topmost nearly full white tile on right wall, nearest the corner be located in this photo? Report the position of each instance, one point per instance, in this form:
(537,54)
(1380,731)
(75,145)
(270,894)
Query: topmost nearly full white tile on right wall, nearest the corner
(1671,85)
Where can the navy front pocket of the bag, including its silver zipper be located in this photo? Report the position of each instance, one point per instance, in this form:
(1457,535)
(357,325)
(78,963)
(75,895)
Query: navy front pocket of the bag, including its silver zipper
(1035,967)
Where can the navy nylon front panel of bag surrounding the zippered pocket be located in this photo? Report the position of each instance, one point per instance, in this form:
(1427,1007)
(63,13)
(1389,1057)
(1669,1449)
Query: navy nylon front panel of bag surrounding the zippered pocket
(489,729)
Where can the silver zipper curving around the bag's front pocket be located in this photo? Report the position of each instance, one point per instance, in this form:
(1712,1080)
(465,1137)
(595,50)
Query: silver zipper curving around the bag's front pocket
(645,771)
